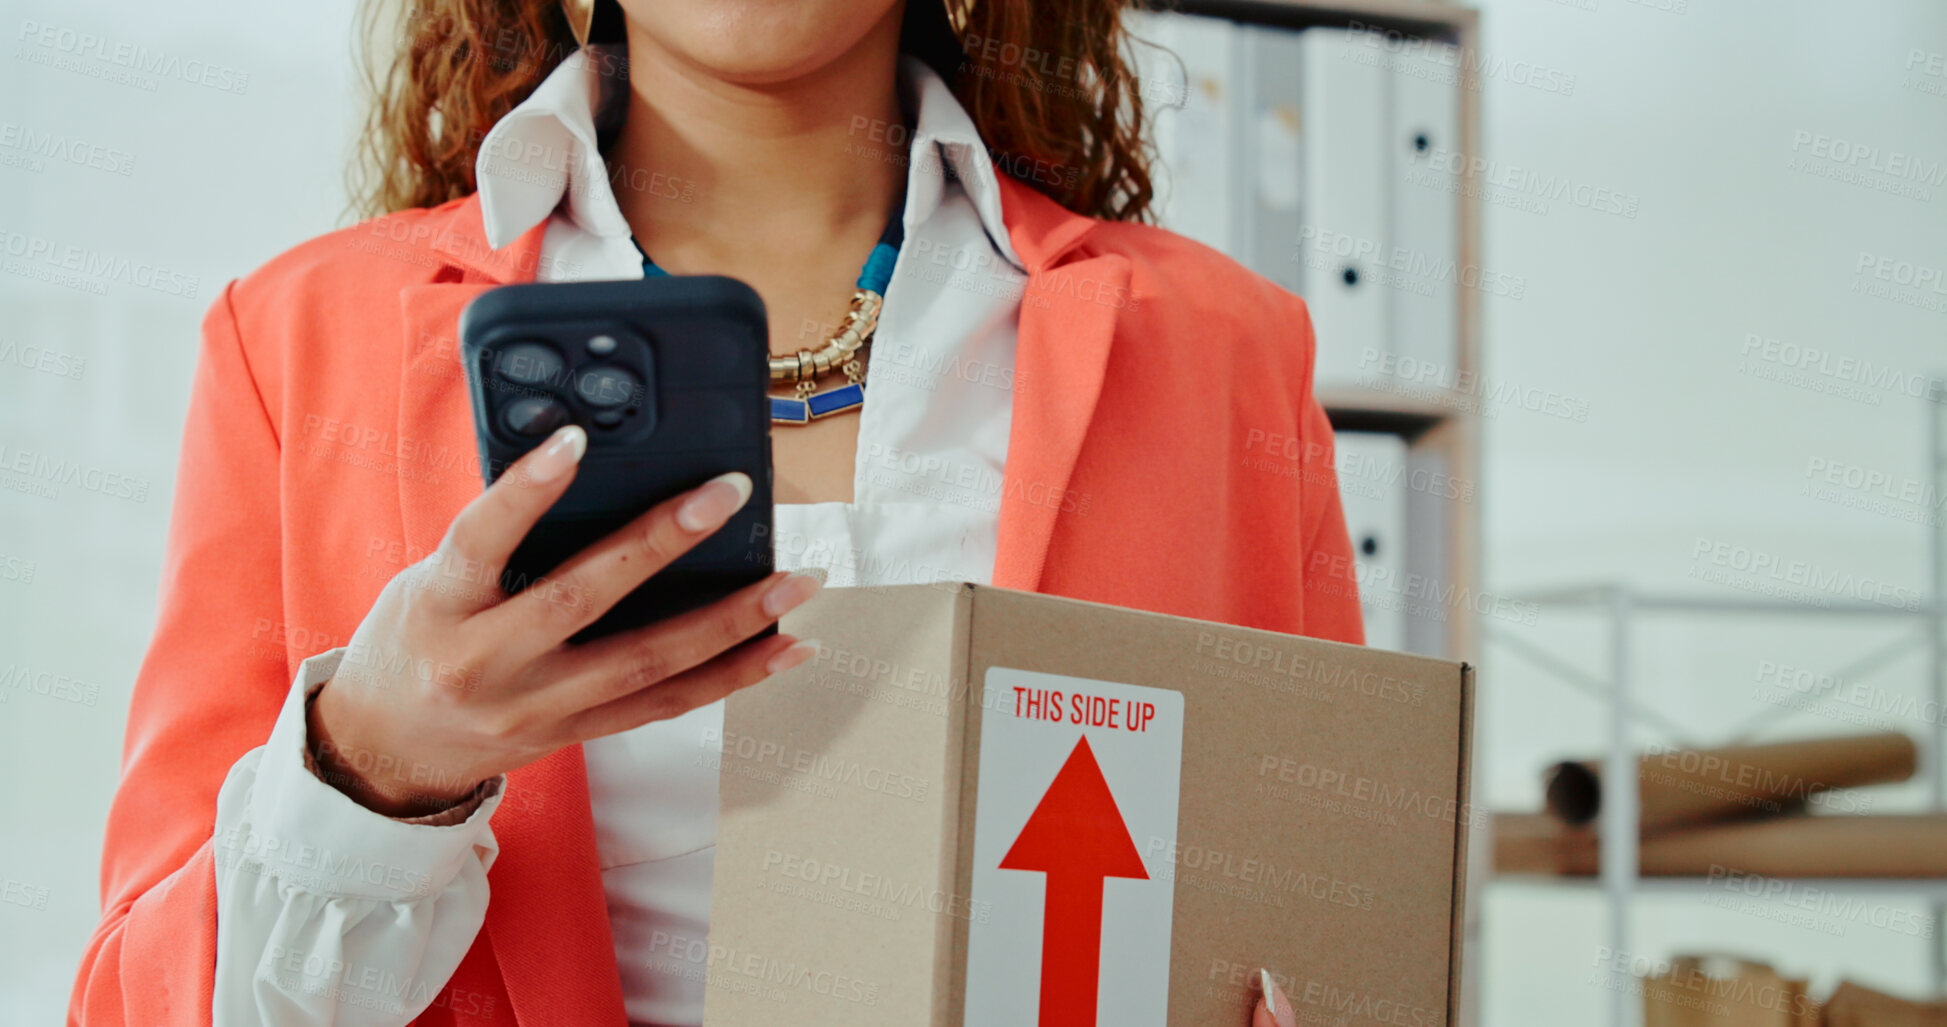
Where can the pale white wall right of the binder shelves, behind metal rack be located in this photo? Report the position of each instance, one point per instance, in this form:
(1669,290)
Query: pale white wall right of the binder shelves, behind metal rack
(1646,321)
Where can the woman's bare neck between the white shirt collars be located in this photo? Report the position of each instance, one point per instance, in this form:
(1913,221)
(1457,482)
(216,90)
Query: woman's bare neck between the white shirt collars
(749,178)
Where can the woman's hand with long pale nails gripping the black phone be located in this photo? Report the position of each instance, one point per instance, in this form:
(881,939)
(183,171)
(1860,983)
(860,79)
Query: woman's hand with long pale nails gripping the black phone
(451,681)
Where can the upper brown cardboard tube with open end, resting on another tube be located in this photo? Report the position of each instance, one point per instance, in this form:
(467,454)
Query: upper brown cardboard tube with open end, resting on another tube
(1724,784)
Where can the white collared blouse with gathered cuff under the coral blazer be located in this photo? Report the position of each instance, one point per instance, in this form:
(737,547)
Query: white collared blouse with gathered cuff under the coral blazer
(928,494)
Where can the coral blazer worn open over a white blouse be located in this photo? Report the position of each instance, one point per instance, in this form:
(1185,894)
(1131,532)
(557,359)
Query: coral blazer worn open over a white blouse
(1165,453)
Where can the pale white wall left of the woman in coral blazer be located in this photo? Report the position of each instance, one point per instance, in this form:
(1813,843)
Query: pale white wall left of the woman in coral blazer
(217,182)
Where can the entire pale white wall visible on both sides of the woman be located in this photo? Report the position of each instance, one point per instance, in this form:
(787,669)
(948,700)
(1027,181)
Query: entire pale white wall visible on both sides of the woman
(1642,319)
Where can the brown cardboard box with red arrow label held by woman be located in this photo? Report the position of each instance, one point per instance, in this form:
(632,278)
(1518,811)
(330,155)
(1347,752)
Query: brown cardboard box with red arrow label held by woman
(914,814)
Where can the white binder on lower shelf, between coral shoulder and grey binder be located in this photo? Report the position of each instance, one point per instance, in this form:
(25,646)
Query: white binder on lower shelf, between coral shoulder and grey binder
(1372,471)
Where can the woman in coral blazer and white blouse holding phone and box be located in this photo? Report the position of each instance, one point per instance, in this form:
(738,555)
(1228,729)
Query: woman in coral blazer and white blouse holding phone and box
(340,699)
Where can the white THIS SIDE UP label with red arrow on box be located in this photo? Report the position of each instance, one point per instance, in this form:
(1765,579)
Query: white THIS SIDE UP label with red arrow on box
(1074,835)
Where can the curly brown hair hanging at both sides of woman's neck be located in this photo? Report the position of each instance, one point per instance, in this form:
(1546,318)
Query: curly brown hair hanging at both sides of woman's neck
(1047,83)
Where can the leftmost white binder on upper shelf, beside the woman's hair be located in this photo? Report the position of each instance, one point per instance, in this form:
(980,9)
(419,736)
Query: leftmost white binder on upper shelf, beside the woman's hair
(1193,114)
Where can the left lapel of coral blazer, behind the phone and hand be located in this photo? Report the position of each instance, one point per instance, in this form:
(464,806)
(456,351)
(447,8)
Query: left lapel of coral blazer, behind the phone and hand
(548,919)
